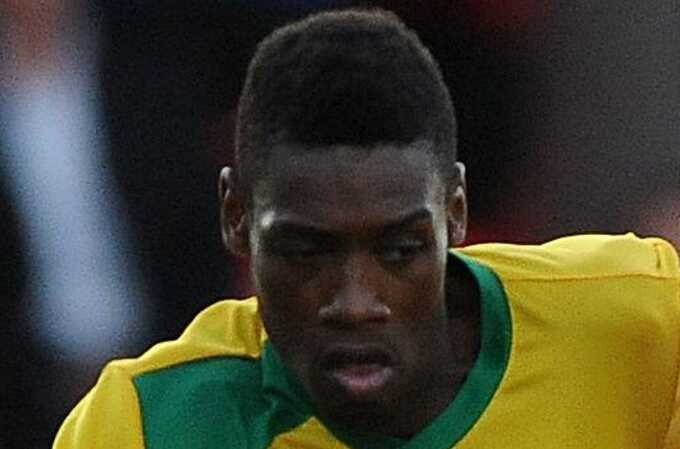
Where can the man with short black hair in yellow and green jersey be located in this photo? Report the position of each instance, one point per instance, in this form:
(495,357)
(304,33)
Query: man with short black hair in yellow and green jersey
(367,331)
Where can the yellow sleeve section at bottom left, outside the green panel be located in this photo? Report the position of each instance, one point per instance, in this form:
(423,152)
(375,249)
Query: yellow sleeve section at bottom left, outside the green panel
(107,417)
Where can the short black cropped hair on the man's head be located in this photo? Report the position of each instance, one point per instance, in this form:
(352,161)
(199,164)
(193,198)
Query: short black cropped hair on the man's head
(350,77)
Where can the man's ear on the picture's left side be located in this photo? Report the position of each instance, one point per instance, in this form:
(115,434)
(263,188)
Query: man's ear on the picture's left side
(233,220)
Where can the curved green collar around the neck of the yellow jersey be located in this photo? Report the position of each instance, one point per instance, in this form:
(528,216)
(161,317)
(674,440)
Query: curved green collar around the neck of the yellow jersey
(471,400)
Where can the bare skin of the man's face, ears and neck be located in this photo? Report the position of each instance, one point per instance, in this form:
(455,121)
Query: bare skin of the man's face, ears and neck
(348,252)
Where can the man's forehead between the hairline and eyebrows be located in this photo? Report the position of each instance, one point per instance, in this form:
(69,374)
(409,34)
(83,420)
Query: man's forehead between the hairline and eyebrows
(346,186)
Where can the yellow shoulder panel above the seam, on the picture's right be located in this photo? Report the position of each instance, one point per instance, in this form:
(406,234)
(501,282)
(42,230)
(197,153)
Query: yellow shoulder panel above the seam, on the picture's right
(584,256)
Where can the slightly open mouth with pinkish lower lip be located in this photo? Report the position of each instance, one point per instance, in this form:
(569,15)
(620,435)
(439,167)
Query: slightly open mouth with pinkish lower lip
(361,371)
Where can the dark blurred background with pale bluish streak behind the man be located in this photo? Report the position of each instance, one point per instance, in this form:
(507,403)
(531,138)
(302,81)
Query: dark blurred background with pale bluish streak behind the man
(115,118)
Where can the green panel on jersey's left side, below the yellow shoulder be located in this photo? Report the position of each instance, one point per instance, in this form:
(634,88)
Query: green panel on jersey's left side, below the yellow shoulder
(210,404)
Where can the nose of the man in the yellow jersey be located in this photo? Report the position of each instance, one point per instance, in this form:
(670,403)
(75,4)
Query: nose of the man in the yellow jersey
(356,299)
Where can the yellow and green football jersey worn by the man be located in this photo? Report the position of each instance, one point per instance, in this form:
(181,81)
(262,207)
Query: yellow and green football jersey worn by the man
(580,348)
